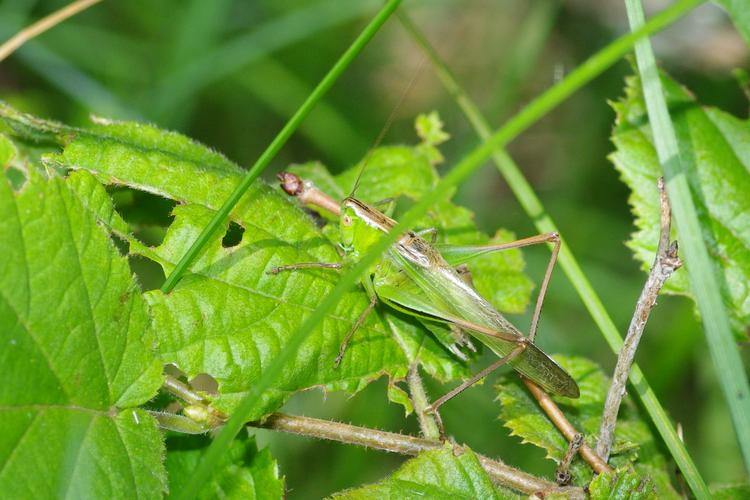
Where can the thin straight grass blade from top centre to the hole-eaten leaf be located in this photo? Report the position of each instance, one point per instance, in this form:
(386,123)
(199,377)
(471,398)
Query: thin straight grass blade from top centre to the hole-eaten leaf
(326,83)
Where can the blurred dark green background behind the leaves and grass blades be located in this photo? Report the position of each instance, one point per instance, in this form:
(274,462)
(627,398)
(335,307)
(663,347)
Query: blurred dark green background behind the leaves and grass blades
(230,73)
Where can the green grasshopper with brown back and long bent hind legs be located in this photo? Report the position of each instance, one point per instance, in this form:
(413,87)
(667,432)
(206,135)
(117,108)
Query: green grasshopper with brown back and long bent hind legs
(426,281)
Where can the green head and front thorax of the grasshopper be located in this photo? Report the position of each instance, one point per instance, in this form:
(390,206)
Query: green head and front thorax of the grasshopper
(361,226)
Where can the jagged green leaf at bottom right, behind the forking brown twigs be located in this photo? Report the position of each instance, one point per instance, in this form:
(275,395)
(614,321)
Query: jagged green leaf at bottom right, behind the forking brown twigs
(633,437)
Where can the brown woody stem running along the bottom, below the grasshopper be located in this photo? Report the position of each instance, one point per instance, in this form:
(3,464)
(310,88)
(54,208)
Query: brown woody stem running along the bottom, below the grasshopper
(406,445)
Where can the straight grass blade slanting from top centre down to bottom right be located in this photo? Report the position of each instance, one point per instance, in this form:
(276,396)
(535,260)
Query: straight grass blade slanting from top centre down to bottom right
(544,224)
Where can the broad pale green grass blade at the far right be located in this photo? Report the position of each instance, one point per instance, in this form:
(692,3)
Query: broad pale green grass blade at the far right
(701,273)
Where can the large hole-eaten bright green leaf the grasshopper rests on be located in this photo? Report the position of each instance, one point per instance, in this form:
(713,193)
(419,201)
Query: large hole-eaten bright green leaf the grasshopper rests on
(232,317)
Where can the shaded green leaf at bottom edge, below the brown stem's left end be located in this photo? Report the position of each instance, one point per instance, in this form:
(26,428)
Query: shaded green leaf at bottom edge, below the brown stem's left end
(243,473)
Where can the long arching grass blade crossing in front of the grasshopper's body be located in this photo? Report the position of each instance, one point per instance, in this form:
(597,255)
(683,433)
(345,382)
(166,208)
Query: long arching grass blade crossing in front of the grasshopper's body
(536,110)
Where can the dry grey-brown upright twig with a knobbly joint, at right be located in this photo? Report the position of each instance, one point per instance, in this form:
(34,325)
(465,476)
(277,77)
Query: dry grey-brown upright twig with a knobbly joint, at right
(665,263)
